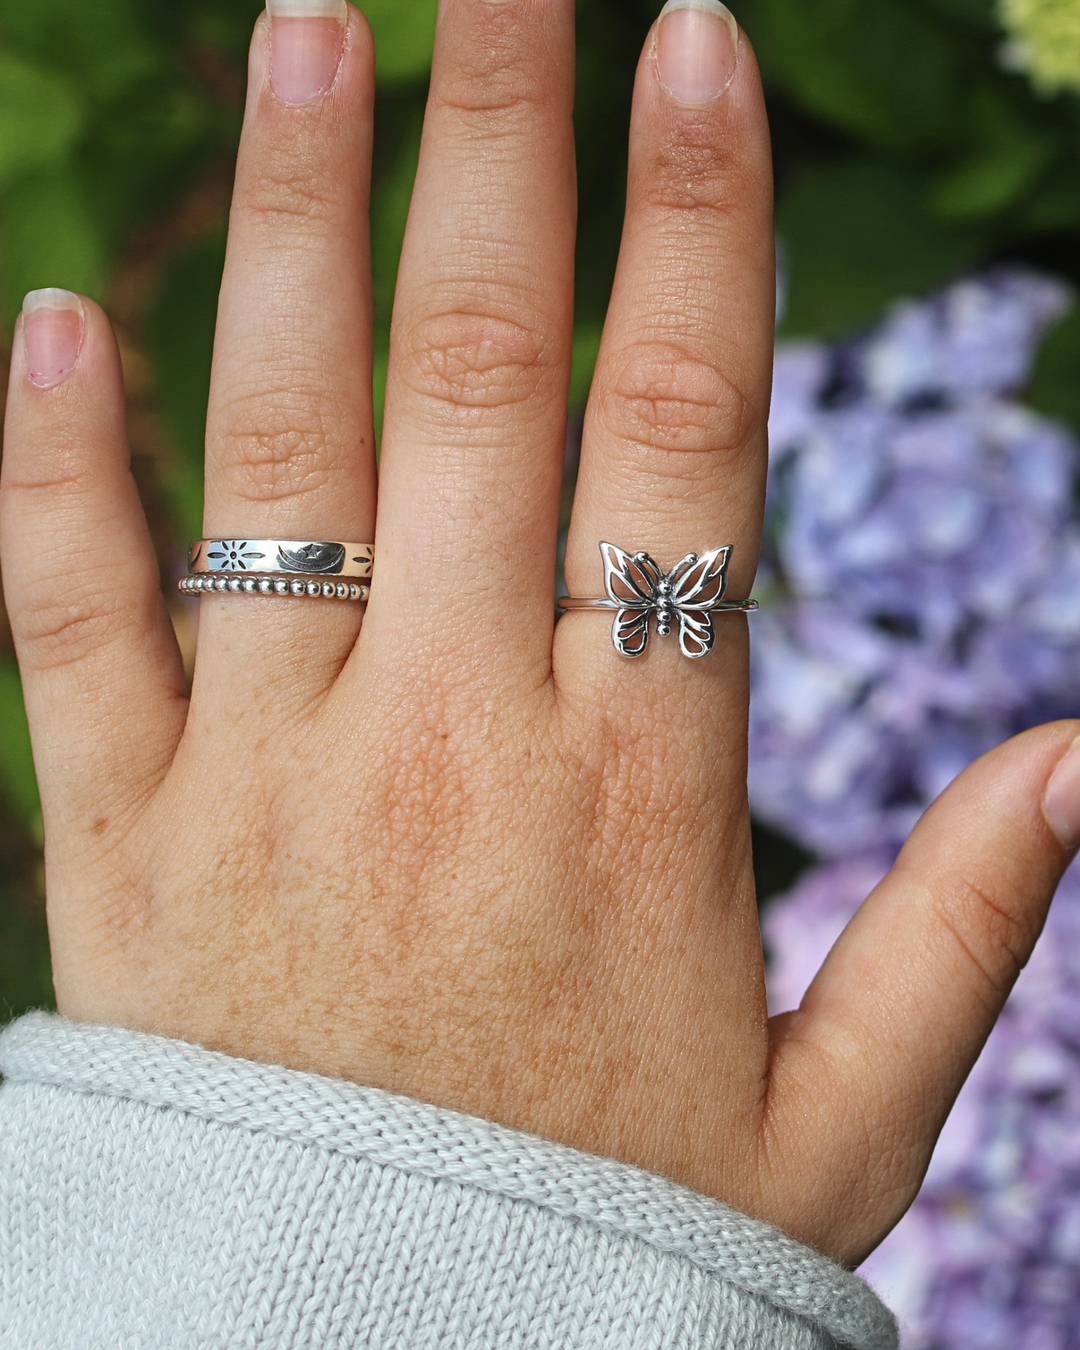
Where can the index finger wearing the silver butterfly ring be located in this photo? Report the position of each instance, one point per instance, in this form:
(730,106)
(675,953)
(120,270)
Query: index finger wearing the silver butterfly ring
(674,453)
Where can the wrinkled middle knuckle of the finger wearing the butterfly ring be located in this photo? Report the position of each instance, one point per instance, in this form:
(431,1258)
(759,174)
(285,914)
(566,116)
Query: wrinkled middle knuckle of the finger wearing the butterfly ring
(664,398)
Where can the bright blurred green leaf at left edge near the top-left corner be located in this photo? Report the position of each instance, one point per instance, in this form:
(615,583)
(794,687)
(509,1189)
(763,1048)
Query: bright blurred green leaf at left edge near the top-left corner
(40,117)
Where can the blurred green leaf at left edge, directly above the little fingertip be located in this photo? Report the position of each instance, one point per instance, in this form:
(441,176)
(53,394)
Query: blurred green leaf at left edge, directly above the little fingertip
(52,238)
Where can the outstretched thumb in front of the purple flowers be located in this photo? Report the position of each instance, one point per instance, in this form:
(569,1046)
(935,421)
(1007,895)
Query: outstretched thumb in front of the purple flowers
(865,1074)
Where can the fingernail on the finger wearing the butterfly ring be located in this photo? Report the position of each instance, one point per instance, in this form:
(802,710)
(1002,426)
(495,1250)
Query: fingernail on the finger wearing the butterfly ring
(697,49)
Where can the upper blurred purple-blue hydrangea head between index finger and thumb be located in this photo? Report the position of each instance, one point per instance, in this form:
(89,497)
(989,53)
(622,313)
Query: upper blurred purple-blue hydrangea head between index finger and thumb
(923,565)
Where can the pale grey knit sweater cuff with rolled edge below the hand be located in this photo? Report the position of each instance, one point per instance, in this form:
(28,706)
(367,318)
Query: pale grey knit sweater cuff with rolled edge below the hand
(155,1194)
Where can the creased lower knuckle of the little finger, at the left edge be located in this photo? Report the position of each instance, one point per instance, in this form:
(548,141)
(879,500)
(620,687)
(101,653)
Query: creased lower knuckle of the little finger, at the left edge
(55,627)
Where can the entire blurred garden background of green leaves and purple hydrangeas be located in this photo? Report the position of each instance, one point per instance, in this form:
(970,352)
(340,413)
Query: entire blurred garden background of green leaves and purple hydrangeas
(923,564)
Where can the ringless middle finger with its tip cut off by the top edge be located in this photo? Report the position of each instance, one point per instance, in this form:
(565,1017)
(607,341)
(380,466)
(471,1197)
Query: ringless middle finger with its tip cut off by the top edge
(476,403)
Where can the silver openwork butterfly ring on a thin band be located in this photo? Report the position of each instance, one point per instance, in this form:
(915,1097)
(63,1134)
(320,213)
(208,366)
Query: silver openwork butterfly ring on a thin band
(639,591)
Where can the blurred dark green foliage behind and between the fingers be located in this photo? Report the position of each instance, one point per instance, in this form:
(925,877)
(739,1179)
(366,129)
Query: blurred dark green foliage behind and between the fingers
(905,155)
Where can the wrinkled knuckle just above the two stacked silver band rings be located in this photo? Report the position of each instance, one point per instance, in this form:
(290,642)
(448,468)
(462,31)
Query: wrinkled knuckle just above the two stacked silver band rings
(280,448)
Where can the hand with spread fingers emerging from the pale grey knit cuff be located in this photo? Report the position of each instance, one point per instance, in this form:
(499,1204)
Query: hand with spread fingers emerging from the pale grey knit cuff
(457,853)
